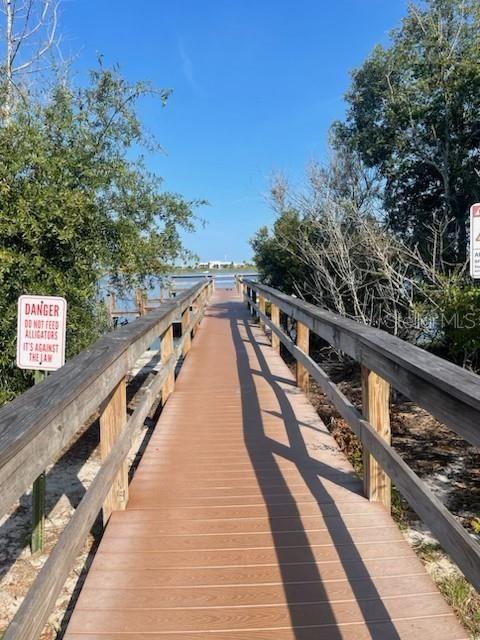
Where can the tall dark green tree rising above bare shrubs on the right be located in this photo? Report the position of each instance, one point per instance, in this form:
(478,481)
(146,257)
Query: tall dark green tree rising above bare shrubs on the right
(414,116)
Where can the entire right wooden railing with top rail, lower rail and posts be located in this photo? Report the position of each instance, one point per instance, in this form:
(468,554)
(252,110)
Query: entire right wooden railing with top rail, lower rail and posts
(451,394)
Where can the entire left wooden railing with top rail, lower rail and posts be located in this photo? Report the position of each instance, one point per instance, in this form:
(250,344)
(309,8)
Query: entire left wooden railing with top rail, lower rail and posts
(39,424)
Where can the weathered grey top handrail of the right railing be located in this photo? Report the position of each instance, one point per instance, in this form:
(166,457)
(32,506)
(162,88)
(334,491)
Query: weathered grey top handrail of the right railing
(451,394)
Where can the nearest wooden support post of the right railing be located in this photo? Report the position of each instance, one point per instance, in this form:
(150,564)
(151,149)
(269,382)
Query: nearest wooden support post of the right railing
(376,409)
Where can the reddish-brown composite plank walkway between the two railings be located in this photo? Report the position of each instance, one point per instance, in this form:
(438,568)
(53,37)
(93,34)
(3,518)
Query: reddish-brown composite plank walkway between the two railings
(246,522)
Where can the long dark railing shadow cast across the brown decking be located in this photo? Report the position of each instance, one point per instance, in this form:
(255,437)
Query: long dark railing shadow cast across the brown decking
(303,567)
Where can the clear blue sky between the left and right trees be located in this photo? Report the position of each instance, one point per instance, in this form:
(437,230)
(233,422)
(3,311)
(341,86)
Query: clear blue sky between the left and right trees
(256,85)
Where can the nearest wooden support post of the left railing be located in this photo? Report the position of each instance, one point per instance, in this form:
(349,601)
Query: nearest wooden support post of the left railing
(112,423)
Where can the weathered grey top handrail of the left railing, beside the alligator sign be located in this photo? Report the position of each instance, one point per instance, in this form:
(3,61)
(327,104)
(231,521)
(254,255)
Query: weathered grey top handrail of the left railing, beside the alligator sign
(37,425)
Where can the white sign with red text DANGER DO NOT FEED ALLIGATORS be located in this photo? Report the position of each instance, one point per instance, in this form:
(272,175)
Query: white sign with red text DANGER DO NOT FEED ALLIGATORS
(41,332)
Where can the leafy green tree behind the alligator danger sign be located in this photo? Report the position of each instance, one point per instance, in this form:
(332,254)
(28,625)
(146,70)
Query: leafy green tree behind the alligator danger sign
(75,208)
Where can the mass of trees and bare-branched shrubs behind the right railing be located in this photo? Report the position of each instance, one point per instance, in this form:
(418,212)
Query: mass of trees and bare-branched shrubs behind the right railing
(380,232)
